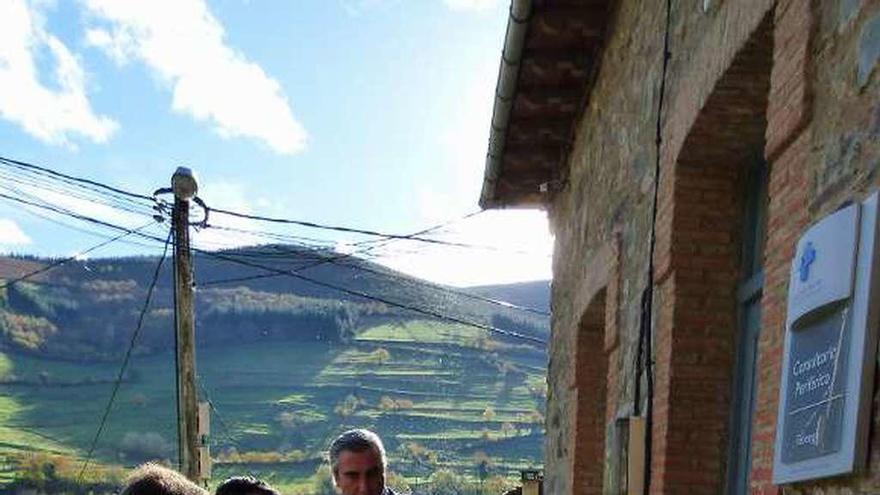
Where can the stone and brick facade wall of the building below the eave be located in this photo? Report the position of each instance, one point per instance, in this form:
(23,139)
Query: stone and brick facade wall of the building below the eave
(795,80)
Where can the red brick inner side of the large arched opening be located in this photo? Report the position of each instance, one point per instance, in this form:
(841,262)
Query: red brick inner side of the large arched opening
(696,272)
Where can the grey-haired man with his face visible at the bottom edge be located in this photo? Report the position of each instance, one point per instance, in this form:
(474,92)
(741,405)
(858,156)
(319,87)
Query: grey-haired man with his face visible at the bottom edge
(358,462)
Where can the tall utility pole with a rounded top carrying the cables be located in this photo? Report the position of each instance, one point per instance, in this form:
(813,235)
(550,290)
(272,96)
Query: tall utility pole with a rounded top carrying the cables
(184,186)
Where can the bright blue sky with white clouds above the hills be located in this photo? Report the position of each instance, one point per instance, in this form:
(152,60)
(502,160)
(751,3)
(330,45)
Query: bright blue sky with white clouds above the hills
(371,114)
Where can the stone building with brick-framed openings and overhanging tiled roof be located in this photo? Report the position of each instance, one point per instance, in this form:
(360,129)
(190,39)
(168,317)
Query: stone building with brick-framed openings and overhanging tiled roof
(676,188)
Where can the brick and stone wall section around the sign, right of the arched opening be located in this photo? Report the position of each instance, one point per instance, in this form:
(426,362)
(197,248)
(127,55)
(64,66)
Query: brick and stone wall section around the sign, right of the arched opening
(824,124)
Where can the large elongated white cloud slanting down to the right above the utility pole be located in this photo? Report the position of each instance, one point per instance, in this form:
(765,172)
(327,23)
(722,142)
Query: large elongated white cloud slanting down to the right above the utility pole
(185,46)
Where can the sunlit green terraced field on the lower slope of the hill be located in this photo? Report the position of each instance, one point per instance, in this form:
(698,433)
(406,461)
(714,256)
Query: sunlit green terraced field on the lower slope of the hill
(438,394)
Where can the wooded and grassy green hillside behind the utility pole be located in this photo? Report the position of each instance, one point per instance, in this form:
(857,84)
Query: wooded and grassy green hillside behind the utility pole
(285,366)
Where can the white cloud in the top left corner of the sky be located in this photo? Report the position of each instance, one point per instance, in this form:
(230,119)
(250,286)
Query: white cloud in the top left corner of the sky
(52,115)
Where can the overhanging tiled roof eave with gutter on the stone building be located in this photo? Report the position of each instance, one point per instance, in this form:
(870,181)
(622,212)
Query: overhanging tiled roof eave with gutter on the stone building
(550,53)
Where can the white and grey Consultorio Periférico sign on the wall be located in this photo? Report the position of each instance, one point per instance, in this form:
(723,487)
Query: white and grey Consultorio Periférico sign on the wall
(830,342)
